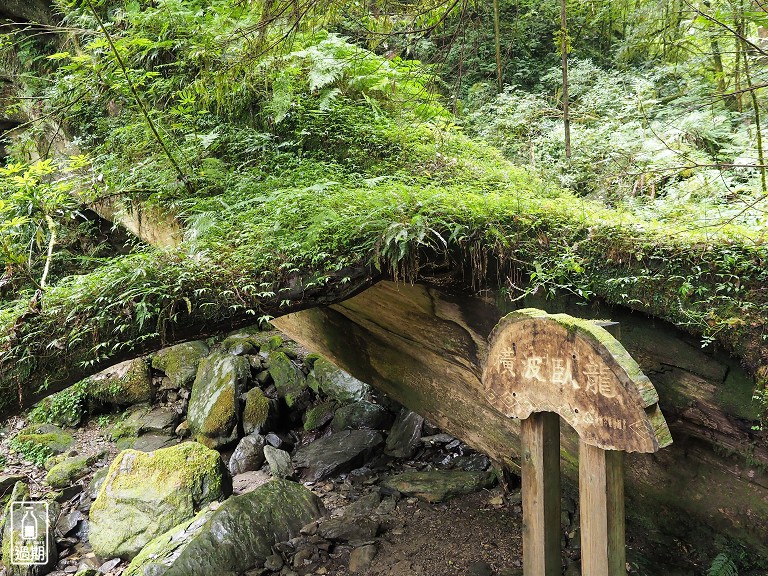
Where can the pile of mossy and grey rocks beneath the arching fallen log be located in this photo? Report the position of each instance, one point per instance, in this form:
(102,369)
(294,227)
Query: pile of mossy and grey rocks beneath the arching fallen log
(251,458)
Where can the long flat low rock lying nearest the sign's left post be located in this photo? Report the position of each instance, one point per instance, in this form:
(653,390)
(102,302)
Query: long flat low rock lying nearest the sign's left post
(439,485)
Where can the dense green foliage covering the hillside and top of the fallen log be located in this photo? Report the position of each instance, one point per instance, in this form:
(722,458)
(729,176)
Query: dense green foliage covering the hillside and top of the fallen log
(303,156)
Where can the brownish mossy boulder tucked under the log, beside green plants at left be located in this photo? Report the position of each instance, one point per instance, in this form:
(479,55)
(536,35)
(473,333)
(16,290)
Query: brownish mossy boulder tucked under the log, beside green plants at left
(129,382)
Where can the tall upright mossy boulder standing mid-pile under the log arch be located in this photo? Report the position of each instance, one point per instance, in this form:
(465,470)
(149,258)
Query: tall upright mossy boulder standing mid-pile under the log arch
(213,404)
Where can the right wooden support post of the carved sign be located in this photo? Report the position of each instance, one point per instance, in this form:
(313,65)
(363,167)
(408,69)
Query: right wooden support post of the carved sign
(601,492)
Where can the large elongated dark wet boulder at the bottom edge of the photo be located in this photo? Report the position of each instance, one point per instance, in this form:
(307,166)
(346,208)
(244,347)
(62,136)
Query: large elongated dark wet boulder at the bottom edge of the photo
(233,538)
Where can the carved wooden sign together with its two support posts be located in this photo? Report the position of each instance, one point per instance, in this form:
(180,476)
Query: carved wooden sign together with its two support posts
(540,366)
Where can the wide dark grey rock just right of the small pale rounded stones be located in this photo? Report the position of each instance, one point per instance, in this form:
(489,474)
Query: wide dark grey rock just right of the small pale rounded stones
(339,452)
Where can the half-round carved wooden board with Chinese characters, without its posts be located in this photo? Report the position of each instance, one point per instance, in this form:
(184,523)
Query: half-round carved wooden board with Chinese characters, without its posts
(539,362)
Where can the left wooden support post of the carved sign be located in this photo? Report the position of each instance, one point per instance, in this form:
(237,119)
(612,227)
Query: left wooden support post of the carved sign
(540,437)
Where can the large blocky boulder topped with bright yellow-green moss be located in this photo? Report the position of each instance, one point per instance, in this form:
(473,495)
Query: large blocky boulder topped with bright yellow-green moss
(145,494)
